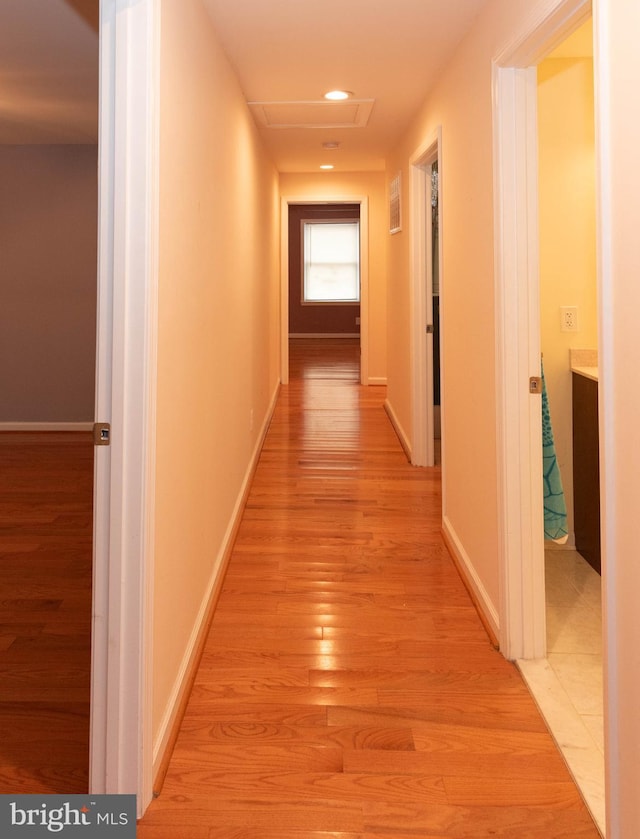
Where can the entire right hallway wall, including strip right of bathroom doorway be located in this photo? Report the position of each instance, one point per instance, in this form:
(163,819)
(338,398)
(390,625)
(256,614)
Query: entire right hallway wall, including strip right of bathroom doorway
(462,103)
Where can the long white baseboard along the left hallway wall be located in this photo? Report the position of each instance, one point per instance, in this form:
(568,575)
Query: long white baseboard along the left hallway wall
(182,685)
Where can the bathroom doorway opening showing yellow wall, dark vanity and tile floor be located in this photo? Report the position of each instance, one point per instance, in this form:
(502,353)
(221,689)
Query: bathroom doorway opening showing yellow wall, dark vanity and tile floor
(569,340)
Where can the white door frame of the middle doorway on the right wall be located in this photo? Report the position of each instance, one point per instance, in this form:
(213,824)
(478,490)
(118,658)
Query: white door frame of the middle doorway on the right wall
(423,429)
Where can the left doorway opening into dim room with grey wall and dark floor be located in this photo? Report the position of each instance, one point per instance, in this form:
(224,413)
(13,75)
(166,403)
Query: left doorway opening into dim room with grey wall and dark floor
(48,169)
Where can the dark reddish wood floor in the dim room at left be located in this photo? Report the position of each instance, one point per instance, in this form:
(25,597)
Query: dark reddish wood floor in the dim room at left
(46,491)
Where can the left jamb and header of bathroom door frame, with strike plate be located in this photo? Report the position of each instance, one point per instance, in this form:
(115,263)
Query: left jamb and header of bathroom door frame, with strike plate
(519,434)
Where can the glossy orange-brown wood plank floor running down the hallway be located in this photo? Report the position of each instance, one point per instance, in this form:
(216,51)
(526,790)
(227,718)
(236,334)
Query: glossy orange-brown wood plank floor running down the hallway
(348,689)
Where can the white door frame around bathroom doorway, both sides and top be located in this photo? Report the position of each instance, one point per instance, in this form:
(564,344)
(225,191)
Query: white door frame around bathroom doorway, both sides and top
(522,612)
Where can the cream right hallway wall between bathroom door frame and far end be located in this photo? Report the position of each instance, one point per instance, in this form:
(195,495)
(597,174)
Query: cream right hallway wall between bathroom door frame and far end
(461,103)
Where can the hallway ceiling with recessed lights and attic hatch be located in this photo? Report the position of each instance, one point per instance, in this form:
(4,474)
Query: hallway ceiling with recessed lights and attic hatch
(290,52)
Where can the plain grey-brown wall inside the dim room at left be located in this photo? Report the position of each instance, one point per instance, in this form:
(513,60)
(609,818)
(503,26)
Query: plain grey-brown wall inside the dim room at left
(48,253)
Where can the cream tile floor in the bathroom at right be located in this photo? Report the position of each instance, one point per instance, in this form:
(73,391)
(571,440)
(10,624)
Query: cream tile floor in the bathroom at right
(567,685)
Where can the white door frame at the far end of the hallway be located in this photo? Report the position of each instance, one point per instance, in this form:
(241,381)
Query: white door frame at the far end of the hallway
(363,201)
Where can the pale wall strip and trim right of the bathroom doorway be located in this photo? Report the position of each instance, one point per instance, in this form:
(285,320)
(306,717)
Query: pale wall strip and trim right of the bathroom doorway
(617,70)
